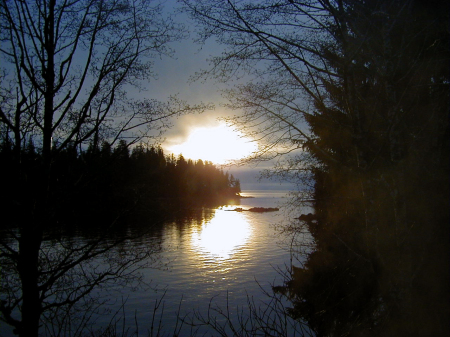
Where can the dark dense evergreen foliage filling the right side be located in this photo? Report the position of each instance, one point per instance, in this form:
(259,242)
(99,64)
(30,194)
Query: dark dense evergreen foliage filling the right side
(381,196)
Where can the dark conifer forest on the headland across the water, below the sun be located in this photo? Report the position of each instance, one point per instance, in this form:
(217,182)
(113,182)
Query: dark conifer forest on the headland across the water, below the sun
(105,184)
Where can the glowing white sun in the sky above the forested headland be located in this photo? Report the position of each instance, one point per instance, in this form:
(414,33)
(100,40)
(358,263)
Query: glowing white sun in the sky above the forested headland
(219,144)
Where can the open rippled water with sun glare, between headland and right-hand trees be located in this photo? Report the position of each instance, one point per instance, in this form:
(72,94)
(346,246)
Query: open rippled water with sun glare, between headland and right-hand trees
(212,256)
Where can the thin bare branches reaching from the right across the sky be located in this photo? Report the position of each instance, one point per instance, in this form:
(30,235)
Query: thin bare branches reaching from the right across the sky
(271,49)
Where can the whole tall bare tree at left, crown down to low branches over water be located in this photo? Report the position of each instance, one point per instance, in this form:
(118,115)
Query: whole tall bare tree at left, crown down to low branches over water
(68,72)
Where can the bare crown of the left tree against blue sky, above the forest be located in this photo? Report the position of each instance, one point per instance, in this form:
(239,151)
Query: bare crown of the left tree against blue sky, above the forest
(67,68)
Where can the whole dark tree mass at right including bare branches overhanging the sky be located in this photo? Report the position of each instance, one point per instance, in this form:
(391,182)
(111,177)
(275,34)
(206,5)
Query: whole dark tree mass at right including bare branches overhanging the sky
(356,94)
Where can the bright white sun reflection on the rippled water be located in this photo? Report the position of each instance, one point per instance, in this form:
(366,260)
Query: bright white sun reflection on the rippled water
(222,237)
